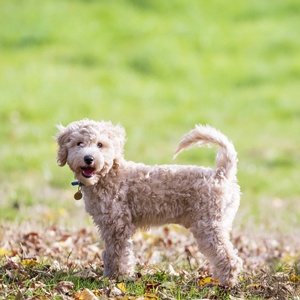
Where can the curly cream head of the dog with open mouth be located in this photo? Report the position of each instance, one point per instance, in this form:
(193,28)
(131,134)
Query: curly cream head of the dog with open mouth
(90,148)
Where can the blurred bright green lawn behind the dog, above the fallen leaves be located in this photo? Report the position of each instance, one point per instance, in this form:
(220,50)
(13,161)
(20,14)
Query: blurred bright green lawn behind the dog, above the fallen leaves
(158,68)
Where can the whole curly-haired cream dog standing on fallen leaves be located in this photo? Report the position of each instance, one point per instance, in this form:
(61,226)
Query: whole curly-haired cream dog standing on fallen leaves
(122,196)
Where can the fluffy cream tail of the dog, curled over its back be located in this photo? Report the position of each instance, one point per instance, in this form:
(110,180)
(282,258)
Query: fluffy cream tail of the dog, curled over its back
(226,159)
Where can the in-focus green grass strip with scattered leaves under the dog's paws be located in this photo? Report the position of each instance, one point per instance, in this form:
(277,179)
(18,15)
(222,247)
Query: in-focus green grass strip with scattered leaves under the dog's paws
(43,283)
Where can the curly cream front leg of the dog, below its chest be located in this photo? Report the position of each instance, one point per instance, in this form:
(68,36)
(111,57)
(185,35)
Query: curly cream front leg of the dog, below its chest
(118,255)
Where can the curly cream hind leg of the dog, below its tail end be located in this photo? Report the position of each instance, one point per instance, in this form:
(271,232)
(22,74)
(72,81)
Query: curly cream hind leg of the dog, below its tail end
(214,243)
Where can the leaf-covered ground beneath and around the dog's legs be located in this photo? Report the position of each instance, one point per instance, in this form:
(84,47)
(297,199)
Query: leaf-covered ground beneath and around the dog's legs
(60,263)
